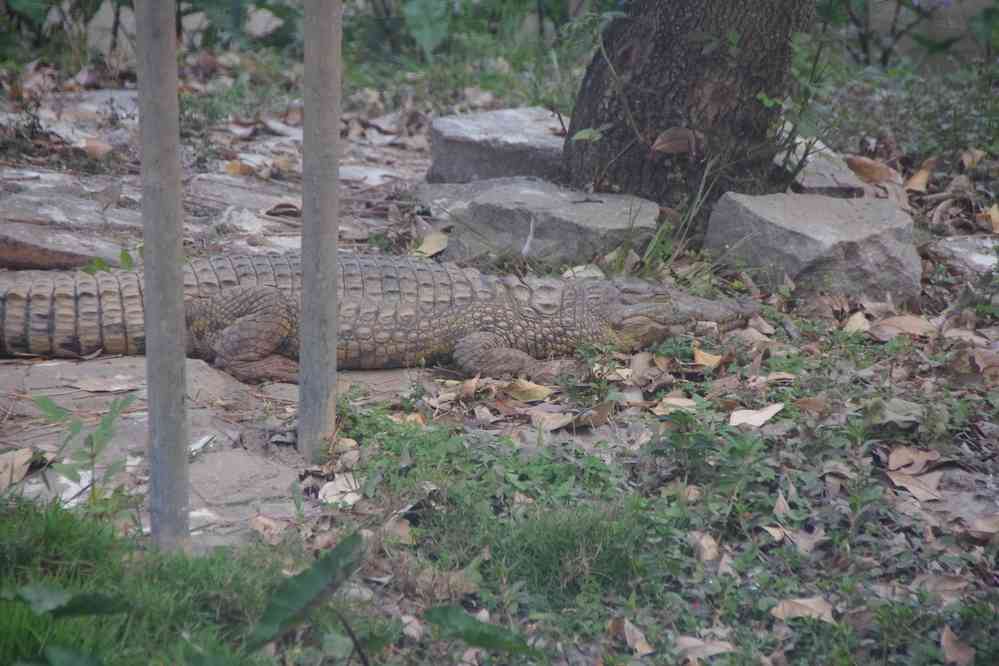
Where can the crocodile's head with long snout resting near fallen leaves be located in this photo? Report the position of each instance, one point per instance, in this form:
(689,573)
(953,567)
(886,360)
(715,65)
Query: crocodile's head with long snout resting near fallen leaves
(635,314)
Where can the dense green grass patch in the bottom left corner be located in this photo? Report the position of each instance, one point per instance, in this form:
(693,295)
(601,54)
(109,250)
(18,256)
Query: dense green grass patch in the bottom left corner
(179,604)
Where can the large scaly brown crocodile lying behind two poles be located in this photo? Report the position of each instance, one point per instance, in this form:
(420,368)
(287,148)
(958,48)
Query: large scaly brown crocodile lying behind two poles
(242,314)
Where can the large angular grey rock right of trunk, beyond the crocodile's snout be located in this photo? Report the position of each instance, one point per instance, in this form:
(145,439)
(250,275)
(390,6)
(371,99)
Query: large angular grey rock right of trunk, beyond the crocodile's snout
(825,245)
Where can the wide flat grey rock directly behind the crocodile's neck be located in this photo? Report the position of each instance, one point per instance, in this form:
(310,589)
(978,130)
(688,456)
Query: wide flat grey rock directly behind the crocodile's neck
(533,218)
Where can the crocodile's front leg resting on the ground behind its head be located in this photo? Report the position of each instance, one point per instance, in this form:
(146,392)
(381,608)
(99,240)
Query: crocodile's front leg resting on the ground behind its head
(488,354)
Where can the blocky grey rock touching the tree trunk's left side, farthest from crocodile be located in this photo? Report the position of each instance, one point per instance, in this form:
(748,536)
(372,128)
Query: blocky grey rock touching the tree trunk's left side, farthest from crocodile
(493,144)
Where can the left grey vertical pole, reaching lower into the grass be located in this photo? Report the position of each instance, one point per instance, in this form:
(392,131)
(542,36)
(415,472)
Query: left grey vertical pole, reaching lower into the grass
(163,282)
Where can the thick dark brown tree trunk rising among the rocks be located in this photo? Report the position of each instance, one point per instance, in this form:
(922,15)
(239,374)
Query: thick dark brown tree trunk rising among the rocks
(707,72)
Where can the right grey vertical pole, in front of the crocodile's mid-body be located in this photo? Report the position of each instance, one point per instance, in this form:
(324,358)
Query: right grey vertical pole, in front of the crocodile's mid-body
(320,206)
